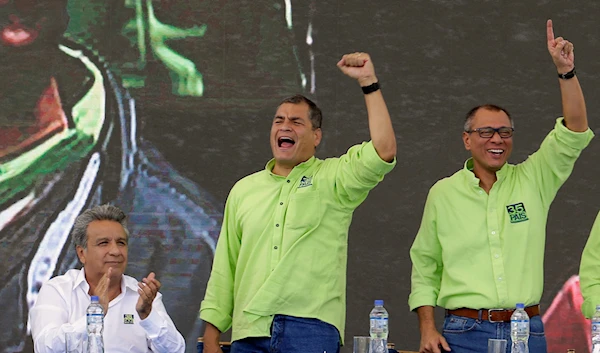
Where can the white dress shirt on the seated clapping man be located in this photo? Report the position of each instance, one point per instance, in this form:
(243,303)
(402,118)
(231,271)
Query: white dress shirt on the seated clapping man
(61,307)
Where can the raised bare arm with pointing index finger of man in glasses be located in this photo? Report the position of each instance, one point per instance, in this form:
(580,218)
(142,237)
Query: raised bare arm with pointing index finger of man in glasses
(573,103)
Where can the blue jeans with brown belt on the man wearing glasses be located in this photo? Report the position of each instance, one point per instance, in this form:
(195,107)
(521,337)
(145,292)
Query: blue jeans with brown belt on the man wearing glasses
(466,335)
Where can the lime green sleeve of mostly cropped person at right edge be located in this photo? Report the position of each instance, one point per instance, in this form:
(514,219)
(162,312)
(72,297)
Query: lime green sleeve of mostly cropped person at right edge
(589,272)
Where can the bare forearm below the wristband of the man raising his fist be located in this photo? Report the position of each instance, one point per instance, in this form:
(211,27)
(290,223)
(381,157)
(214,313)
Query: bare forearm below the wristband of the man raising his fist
(380,126)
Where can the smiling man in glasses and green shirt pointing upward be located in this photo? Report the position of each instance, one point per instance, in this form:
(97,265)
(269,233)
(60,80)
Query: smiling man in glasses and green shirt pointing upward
(480,248)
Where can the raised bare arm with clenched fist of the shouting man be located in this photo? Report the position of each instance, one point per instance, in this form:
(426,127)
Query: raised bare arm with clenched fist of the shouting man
(360,67)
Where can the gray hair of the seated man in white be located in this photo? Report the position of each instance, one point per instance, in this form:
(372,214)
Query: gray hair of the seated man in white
(98,213)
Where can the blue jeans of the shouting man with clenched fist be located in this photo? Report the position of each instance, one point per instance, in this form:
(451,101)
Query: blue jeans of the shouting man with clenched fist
(291,334)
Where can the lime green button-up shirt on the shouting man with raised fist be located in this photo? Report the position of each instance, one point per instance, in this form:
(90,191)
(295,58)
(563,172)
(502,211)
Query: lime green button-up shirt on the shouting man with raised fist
(283,244)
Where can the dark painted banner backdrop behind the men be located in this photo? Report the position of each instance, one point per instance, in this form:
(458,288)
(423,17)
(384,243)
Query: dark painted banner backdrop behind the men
(160,106)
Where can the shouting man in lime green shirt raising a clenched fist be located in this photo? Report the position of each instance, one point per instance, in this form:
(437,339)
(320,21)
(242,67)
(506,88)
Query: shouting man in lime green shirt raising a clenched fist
(279,273)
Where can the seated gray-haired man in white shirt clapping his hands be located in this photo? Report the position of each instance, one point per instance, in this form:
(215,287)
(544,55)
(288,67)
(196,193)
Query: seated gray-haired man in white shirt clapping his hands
(135,317)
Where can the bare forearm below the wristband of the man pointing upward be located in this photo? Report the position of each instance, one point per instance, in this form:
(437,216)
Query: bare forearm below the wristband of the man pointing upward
(573,104)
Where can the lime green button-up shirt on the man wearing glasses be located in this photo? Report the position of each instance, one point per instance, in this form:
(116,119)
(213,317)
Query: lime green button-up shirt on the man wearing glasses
(479,250)
